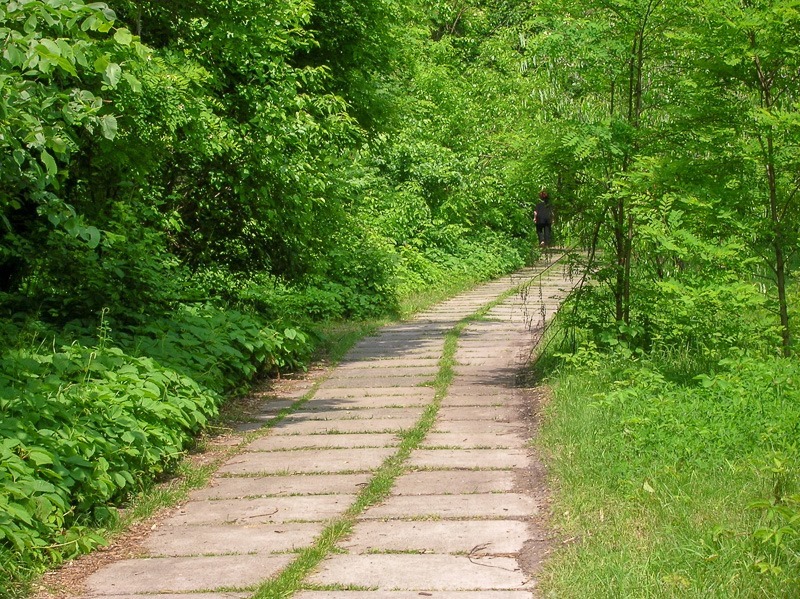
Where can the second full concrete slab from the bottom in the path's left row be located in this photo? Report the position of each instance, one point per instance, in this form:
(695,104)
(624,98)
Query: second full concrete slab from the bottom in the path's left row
(177,541)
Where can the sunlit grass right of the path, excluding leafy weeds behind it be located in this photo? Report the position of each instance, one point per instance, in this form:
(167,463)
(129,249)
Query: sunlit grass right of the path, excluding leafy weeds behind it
(641,523)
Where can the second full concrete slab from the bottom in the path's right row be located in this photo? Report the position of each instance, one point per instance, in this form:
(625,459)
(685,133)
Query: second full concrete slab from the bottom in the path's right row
(472,537)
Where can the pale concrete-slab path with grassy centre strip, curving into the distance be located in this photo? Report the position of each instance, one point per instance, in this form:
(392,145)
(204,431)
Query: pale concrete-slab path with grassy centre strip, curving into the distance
(405,473)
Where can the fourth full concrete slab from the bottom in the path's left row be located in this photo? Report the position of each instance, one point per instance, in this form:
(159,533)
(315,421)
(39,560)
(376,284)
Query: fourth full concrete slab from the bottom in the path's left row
(299,484)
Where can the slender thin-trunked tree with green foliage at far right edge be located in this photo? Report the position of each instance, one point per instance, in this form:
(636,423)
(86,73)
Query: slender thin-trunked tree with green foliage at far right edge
(749,48)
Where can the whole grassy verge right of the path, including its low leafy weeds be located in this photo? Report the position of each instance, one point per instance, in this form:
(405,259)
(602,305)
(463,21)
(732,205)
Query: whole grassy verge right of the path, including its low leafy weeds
(674,489)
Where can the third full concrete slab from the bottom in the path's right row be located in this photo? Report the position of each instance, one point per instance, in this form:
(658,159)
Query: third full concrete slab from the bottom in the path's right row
(479,505)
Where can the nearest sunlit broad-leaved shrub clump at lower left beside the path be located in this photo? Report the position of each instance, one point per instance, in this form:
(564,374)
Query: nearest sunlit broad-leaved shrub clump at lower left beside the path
(81,427)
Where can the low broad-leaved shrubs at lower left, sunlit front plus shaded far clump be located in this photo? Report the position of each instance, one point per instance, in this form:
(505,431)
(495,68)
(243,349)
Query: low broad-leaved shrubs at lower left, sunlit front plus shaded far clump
(83,426)
